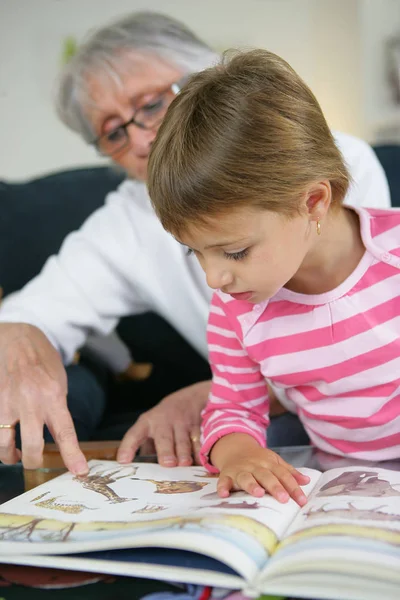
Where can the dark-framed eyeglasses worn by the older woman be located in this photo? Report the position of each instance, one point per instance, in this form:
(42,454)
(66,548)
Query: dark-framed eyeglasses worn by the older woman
(146,117)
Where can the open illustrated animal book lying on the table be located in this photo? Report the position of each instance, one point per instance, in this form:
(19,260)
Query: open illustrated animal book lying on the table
(150,521)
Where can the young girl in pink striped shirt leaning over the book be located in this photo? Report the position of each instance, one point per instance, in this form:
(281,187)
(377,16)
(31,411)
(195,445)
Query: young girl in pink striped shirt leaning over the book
(246,174)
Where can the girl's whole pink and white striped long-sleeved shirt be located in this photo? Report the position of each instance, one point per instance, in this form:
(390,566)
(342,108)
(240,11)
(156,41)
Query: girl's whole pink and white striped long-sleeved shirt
(335,356)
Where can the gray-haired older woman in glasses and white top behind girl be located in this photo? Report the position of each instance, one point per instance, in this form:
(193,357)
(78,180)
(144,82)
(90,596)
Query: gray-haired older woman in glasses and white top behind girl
(114,93)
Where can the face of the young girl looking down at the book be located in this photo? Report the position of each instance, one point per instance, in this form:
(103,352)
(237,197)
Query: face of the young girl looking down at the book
(252,253)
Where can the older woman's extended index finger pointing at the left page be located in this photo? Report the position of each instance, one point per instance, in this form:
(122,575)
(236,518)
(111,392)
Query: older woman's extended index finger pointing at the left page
(63,432)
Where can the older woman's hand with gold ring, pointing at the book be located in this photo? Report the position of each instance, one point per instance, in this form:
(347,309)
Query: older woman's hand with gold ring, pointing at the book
(33,390)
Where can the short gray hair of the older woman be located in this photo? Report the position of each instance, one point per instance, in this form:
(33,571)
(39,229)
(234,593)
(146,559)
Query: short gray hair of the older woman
(139,33)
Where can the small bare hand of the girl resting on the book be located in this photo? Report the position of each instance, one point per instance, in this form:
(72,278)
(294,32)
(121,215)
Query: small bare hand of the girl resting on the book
(245,465)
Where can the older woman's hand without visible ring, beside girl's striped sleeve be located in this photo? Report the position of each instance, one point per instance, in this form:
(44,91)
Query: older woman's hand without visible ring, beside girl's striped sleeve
(172,428)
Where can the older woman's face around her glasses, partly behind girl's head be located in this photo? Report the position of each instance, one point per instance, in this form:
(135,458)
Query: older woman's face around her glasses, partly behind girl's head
(114,104)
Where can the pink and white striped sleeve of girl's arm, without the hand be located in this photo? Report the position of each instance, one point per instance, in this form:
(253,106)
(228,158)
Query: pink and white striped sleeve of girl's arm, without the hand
(238,399)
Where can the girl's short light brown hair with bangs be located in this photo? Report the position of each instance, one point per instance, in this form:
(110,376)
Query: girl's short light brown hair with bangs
(248,131)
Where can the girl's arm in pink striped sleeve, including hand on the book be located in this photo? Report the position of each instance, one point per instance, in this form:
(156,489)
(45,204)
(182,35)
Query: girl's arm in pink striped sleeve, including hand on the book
(235,419)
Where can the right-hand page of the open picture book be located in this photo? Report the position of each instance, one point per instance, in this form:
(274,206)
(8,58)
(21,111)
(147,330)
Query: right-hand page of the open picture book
(349,529)
